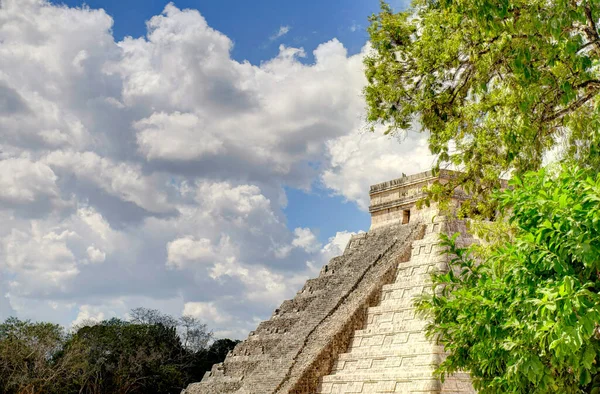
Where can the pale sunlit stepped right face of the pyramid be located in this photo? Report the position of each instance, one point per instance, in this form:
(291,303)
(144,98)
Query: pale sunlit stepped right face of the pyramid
(391,353)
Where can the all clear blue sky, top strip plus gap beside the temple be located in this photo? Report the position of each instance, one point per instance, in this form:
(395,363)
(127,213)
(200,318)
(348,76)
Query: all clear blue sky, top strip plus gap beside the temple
(253,25)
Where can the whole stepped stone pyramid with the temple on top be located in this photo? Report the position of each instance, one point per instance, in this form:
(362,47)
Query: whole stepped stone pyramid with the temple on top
(353,329)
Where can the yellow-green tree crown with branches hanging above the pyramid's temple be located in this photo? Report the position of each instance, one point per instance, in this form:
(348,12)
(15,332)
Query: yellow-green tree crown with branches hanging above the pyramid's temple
(495,84)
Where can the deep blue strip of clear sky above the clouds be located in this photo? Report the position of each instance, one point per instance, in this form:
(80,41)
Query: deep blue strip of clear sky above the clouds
(251,24)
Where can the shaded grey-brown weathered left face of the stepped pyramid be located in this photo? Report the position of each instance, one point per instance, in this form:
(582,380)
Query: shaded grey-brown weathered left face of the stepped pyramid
(301,341)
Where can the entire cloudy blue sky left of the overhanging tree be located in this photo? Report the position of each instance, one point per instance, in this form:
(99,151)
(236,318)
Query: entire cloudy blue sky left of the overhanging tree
(207,166)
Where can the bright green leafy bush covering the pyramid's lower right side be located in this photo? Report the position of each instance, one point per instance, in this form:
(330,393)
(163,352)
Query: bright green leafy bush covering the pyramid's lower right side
(525,320)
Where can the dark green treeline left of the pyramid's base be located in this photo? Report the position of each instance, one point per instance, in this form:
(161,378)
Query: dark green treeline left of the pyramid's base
(150,353)
